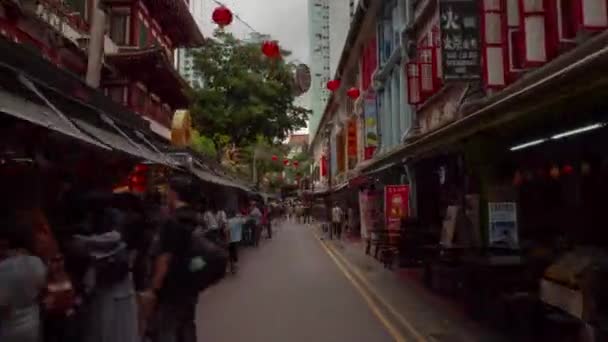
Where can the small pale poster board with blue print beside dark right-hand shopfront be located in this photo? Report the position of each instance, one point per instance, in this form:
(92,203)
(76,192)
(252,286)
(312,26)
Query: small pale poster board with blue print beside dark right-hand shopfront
(503,224)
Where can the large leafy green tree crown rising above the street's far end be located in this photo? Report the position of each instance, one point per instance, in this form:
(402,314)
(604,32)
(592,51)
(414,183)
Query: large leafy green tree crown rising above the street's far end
(246,95)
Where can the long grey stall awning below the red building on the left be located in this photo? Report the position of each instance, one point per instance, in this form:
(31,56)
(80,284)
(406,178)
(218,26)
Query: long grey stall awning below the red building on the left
(25,98)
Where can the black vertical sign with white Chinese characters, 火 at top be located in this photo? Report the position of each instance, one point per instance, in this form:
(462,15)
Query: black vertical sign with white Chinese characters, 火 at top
(460,39)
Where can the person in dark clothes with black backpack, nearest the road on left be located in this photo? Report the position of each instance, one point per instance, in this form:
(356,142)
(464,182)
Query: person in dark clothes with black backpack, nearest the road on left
(188,263)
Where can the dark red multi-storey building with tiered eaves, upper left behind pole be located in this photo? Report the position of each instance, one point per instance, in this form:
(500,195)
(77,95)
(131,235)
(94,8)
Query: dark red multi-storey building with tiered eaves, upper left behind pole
(141,36)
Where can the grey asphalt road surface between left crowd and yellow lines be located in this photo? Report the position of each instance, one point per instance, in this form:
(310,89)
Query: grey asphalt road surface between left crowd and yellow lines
(287,290)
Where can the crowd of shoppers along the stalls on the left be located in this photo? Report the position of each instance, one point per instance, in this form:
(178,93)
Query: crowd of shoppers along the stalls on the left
(119,267)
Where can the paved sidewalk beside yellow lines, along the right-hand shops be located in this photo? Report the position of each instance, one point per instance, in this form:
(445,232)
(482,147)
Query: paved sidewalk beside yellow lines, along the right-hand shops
(423,314)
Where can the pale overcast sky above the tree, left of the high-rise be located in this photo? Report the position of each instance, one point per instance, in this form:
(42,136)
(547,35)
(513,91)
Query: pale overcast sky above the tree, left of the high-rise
(285,20)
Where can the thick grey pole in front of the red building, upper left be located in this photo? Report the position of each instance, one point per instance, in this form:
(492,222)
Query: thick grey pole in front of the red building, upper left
(96,42)
